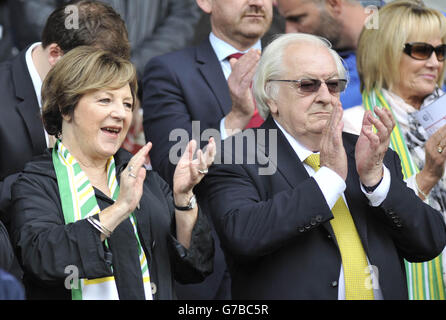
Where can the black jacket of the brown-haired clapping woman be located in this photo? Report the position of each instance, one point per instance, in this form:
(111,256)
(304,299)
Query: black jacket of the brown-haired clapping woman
(45,245)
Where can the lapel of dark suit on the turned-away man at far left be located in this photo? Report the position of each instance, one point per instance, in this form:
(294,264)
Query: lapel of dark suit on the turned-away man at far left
(28,107)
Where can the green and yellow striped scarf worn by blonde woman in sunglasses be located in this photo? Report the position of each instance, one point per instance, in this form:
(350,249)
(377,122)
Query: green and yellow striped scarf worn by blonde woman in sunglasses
(425,280)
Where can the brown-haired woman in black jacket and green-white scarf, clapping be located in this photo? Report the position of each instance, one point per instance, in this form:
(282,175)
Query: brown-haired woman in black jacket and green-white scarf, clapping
(89,221)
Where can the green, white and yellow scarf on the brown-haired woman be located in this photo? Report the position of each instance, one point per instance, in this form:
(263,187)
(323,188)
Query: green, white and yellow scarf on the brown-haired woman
(79,202)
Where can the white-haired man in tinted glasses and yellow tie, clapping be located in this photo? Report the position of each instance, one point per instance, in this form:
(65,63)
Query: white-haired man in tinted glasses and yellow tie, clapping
(335,219)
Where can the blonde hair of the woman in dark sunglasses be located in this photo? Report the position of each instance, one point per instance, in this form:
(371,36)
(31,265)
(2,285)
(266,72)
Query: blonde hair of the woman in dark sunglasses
(380,50)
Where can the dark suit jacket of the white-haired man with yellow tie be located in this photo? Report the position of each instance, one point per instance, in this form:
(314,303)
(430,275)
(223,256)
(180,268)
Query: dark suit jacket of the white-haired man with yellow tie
(275,230)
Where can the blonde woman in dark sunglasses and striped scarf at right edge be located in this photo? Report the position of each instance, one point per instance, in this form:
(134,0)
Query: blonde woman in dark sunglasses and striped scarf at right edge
(401,67)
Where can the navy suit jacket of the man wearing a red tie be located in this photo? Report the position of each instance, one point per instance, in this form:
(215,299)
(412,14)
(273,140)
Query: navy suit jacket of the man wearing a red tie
(181,87)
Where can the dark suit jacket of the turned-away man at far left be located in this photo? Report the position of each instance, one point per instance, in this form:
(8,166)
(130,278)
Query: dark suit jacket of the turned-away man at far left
(21,130)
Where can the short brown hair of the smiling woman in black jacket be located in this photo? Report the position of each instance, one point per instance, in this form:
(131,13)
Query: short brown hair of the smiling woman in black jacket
(82,70)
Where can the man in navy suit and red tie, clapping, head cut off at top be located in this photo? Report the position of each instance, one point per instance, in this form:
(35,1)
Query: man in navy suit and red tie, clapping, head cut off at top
(202,84)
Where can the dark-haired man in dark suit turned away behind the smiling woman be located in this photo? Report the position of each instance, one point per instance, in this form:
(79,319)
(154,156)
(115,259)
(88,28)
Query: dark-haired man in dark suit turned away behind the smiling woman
(22,134)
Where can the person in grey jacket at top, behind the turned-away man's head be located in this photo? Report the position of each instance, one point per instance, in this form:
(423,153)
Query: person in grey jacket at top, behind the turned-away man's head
(154,26)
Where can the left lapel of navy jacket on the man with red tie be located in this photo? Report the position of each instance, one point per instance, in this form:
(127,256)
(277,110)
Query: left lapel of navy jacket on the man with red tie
(212,73)
